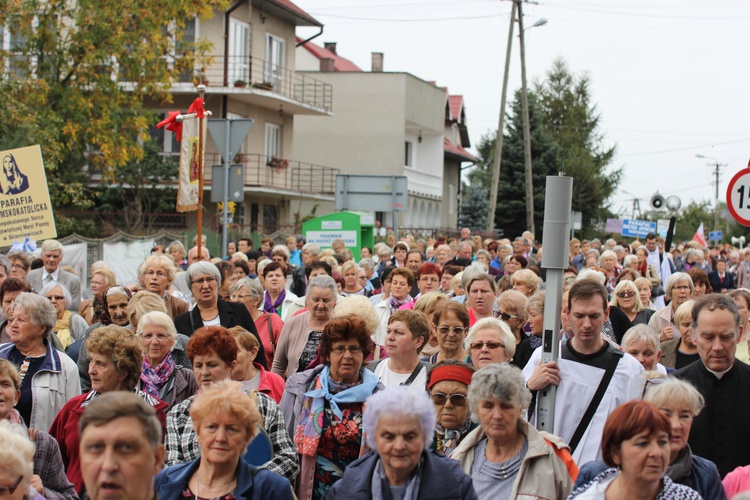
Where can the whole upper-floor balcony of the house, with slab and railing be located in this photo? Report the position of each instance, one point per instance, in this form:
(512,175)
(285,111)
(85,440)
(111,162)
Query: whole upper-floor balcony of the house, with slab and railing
(266,84)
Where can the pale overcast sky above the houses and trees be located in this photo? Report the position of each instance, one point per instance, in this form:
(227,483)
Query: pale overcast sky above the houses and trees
(670,79)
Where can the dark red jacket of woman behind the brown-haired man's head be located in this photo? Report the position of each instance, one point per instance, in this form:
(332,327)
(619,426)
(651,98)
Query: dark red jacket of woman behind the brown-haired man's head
(65,430)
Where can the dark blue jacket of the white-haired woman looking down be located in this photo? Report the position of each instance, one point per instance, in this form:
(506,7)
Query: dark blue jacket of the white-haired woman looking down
(441,478)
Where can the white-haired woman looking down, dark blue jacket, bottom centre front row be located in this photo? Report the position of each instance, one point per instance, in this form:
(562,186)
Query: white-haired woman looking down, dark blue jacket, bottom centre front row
(398,427)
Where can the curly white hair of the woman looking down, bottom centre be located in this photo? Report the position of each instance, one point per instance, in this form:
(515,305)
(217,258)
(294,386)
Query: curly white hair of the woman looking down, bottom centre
(399,401)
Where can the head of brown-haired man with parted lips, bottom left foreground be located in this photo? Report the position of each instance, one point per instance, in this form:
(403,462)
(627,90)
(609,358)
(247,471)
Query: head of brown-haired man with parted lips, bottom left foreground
(121,450)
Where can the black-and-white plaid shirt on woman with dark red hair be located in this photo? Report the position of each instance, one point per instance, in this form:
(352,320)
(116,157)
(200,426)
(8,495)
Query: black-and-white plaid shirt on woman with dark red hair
(182,442)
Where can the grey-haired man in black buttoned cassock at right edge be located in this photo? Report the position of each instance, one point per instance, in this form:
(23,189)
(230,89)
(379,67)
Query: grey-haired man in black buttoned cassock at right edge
(717,433)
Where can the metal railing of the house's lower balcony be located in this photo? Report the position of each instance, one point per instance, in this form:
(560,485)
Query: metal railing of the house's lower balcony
(295,176)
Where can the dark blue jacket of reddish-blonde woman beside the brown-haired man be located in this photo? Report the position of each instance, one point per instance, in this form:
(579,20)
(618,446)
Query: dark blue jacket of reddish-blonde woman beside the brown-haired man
(252,482)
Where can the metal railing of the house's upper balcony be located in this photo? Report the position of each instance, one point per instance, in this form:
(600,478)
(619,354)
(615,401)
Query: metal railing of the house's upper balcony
(262,75)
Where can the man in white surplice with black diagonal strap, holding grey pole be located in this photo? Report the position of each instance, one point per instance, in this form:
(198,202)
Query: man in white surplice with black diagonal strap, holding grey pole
(582,363)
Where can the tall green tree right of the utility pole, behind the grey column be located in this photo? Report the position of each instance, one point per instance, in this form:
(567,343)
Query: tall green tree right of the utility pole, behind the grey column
(571,119)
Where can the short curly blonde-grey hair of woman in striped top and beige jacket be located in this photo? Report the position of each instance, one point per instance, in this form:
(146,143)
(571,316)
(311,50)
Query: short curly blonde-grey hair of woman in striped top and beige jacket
(500,381)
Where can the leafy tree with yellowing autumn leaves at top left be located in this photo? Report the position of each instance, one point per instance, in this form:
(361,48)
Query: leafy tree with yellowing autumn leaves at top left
(78,73)
